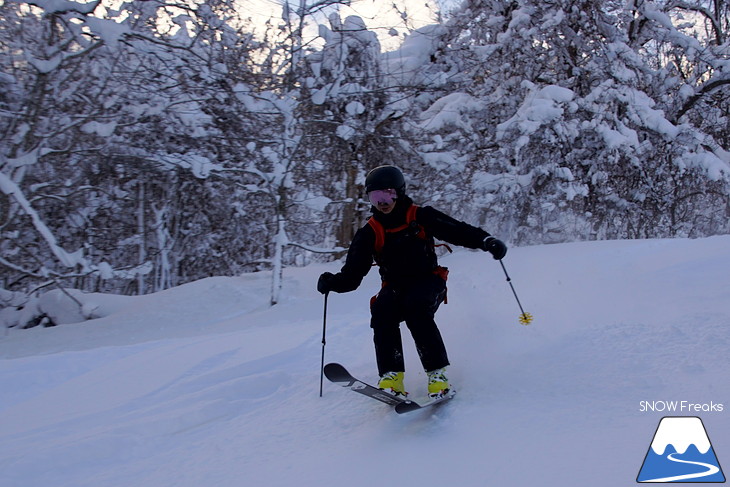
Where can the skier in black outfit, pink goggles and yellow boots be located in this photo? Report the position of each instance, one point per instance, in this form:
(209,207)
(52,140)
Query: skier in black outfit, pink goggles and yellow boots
(400,237)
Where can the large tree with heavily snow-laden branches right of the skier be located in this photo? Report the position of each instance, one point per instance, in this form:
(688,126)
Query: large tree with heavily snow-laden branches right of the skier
(565,122)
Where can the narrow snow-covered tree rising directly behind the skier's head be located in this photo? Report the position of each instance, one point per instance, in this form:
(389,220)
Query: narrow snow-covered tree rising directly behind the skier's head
(349,116)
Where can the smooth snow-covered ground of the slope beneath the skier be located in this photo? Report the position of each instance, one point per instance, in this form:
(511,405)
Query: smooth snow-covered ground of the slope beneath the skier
(205,384)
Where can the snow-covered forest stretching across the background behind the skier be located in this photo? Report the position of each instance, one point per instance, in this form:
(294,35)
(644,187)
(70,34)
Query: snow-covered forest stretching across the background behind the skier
(150,143)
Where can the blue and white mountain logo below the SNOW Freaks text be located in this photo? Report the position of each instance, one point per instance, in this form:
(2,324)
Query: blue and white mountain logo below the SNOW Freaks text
(680,452)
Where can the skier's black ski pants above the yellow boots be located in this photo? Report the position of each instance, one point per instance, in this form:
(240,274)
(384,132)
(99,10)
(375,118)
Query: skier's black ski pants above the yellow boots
(414,302)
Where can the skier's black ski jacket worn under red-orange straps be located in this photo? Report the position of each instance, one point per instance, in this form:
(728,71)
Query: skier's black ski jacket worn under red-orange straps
(405,256)
